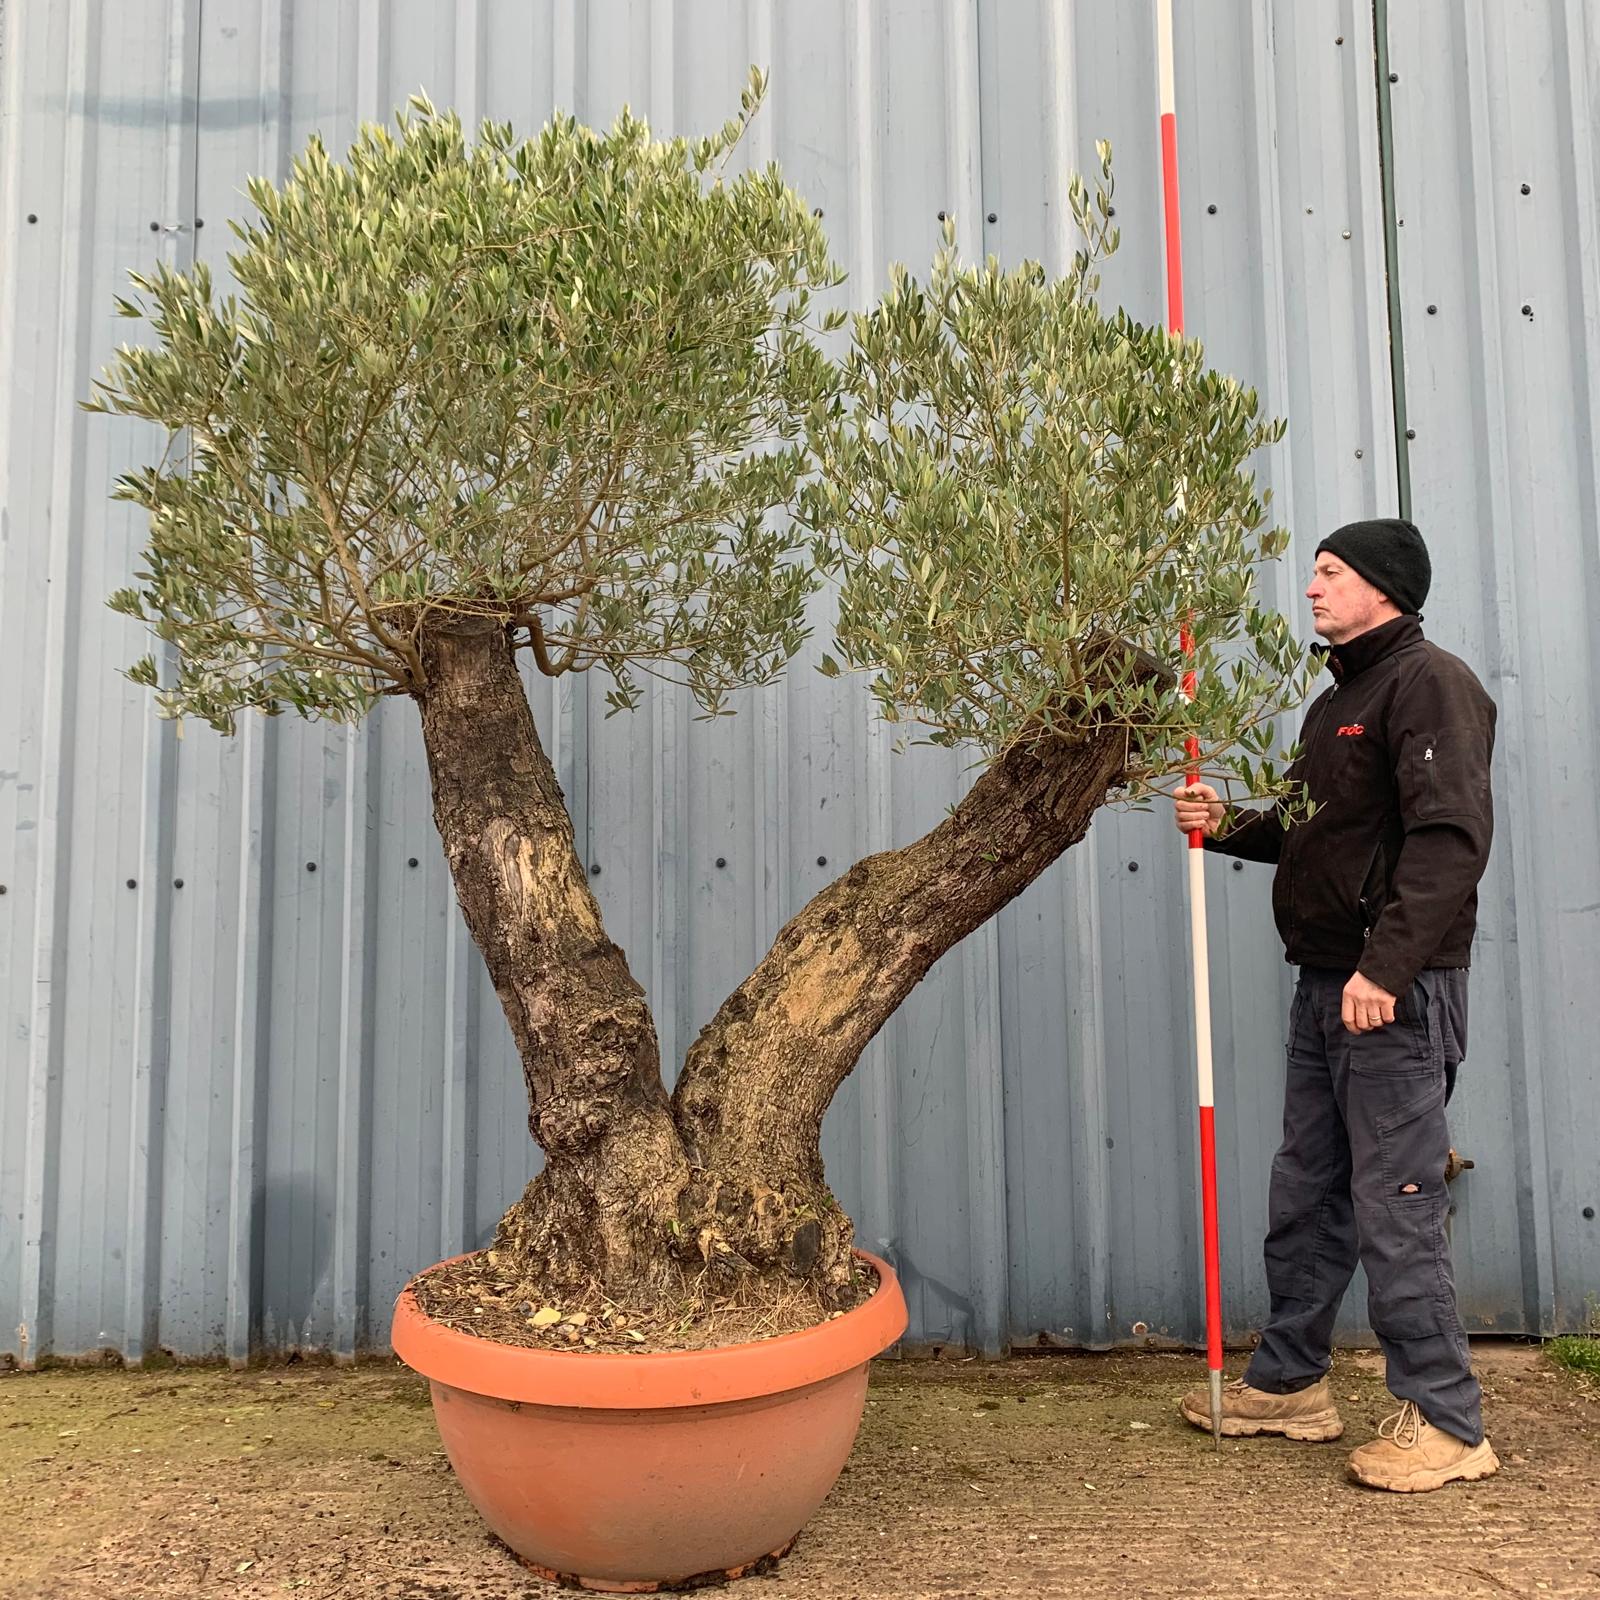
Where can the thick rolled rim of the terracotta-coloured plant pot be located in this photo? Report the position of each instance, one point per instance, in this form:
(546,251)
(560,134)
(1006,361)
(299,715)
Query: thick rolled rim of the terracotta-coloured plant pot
(652,1380)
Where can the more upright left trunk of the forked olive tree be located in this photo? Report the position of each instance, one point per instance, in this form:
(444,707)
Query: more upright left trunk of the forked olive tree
(615,1169)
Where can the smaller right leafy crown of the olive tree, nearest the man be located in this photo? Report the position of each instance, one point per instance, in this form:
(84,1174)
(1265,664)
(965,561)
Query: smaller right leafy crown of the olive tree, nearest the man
(1028,498)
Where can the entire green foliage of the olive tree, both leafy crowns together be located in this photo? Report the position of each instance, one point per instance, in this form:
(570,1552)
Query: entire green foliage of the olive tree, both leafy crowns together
(586,383)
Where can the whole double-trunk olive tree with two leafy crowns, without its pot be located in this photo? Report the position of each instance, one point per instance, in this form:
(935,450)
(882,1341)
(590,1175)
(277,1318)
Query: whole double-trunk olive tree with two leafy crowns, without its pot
(574,398)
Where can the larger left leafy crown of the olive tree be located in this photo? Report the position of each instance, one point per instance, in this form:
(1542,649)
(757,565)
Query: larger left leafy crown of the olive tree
(559,382)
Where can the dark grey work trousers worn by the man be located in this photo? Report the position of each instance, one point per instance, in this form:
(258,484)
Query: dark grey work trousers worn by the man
(1361,1177)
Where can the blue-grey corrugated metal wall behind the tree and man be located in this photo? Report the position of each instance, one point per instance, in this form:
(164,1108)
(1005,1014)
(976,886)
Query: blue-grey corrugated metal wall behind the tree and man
(252,1074)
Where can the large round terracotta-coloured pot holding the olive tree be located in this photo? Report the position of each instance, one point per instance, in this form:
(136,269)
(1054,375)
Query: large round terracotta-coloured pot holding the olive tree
(636,1473)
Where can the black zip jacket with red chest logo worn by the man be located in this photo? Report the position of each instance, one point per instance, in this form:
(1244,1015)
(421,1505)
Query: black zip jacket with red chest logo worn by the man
(1383,878)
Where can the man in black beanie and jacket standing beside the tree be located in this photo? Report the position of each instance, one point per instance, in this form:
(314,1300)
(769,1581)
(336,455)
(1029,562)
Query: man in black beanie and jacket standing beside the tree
(1377,902)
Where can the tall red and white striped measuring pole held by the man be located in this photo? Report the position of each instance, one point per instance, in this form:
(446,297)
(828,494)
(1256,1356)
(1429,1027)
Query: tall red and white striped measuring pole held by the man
(1198,929)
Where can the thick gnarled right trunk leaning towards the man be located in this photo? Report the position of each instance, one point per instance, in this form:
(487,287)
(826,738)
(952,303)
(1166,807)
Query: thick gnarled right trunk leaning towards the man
(761,1078)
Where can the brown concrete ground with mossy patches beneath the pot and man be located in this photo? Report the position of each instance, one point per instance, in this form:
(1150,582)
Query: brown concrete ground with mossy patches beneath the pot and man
(1044,1476)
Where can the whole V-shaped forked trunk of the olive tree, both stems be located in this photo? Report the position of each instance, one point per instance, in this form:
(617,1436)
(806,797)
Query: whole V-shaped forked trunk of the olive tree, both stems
(729,1170)
